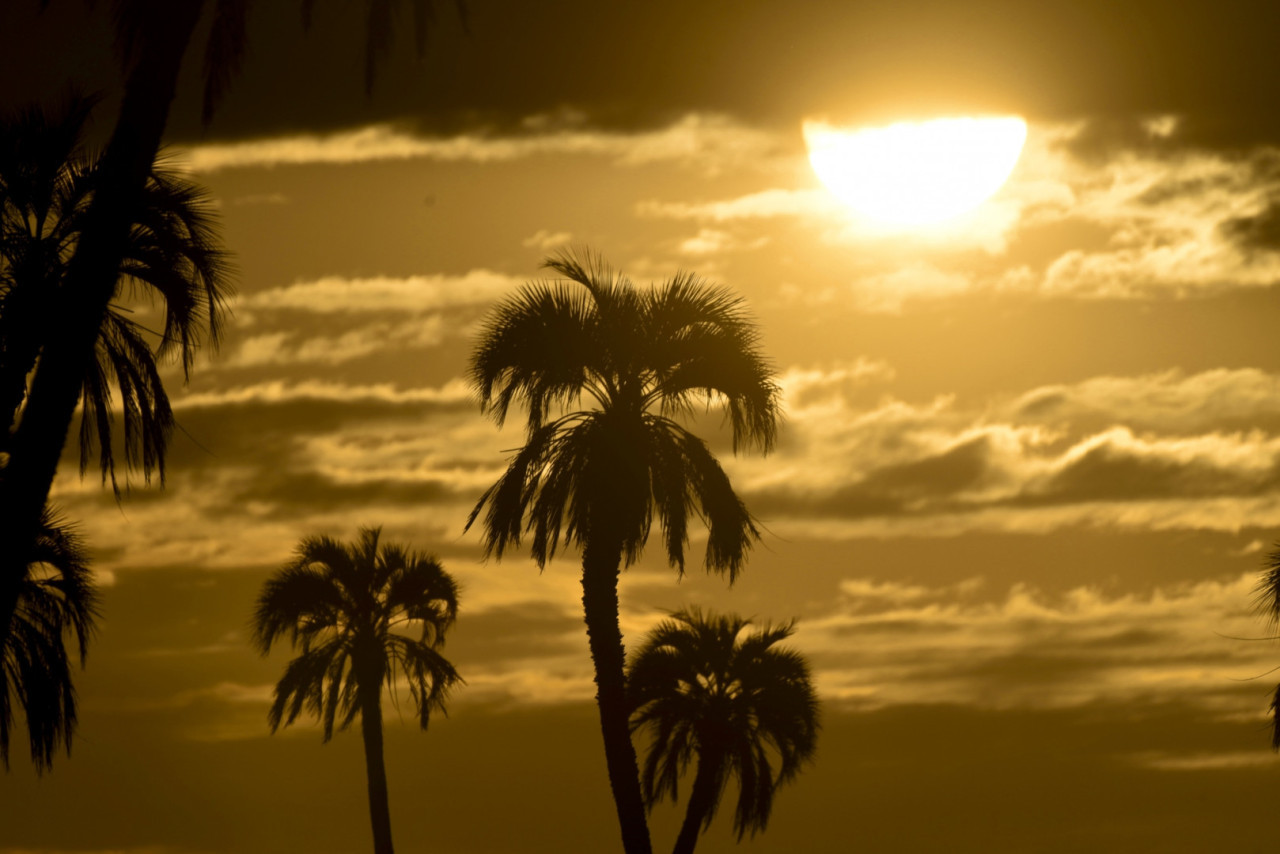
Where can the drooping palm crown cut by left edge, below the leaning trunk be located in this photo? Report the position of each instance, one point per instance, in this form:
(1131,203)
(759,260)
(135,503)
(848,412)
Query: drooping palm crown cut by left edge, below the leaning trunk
(56,600)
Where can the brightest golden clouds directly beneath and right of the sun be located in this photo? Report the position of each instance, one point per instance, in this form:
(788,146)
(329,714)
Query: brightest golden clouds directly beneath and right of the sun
(1155,220)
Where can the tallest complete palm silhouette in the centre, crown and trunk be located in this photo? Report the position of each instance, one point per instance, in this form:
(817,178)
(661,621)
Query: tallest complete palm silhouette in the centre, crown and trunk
(598,476)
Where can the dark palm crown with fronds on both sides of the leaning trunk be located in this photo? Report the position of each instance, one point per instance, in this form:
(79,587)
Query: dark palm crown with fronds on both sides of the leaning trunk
(47,184)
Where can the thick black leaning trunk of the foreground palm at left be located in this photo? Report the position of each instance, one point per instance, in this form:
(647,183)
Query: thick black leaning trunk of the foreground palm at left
(92,281)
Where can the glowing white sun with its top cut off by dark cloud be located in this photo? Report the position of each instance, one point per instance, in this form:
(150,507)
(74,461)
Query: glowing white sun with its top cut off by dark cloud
(916,173)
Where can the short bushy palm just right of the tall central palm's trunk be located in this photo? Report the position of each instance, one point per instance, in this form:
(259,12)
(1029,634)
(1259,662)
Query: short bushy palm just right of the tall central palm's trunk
(703,691)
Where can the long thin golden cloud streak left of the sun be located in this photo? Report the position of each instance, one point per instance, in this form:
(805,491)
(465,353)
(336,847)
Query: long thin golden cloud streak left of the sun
(705,141)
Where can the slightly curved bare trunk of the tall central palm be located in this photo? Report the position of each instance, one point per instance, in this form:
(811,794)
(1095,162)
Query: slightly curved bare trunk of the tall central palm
(601,561)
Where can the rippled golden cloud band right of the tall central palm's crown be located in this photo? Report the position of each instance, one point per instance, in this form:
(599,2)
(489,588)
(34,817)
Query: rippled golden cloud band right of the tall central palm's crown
(1162,451)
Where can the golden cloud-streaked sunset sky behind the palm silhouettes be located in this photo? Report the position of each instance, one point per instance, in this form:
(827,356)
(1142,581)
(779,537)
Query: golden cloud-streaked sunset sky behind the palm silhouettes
(1028,474)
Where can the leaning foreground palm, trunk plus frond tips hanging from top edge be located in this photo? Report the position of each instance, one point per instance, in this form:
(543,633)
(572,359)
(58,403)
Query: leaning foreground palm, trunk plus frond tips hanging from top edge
(154,38)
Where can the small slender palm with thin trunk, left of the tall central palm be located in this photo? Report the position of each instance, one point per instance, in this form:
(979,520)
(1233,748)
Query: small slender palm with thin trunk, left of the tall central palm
(348,609)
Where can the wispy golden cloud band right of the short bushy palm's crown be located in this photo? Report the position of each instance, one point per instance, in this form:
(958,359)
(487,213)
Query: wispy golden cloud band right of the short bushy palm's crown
(888,643)
